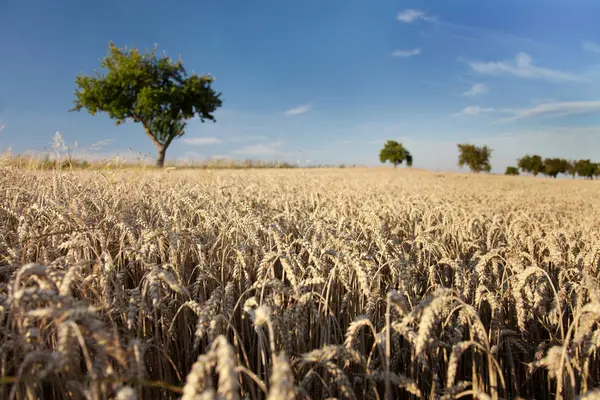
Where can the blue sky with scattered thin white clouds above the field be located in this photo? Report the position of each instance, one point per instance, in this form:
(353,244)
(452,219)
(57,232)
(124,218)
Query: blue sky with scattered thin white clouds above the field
(325,81)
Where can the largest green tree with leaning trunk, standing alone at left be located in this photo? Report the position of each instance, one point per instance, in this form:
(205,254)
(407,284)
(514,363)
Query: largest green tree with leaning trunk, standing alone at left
(147,89)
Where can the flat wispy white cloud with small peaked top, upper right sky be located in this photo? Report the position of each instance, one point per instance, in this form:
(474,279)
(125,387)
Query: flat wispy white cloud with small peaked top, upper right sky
(522,67)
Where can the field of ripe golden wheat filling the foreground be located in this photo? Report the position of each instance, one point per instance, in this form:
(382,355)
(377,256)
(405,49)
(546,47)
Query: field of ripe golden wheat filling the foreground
(307,284)
